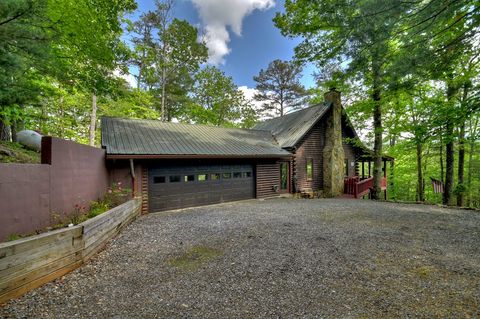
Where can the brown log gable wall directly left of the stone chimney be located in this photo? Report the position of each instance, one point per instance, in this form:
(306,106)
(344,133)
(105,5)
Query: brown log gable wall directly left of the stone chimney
(310,146)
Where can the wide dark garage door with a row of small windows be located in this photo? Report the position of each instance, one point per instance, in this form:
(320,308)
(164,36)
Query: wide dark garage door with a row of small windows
(186,186)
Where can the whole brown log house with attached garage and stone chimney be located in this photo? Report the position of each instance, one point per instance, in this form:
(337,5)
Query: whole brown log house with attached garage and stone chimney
(181,165)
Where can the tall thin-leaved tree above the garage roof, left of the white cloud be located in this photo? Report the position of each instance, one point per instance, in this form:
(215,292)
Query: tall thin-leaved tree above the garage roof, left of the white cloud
(167,54)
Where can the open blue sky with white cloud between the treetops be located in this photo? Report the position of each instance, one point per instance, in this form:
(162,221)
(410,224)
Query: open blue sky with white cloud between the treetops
(259,43)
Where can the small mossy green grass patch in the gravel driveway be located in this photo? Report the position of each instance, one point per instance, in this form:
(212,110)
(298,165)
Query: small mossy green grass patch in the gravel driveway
(194,257)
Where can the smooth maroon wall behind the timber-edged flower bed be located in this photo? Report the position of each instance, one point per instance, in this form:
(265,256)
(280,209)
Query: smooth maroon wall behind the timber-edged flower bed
(33,196)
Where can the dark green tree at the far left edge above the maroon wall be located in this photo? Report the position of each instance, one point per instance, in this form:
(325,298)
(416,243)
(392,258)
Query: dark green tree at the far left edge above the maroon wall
(24,48)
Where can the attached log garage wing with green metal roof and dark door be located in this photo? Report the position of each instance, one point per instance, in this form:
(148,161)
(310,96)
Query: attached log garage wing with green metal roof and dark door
(175,165)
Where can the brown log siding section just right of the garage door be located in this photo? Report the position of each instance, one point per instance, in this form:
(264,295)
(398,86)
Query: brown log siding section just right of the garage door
(268,175)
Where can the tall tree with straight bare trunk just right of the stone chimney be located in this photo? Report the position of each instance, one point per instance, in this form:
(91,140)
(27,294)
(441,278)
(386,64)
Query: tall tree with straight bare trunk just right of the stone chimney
(357,35)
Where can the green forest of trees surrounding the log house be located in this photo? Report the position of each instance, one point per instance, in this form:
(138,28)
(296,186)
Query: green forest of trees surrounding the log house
(408,72)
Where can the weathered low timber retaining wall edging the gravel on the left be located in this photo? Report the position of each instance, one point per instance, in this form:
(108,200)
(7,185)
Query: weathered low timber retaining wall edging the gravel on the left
(30,262)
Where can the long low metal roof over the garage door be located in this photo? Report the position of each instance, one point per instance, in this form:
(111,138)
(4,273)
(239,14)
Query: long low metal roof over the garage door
(122,137)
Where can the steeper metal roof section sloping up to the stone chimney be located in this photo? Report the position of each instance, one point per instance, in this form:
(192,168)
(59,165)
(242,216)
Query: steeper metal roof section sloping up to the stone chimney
(290,128)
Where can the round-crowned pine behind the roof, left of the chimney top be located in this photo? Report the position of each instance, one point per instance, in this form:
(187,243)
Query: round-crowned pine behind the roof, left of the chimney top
(279,87)
